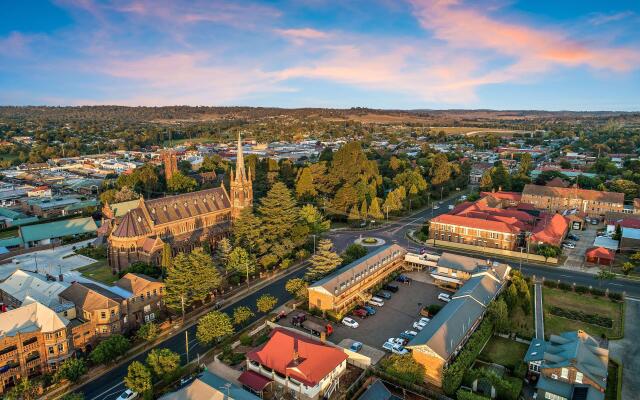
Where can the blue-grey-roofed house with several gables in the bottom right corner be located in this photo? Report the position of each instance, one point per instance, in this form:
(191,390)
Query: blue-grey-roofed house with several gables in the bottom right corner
(569,366)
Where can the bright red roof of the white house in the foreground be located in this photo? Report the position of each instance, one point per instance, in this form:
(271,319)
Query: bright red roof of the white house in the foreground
(315,360)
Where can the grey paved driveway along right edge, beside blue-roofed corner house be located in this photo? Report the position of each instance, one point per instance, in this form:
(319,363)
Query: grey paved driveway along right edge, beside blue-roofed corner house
(628,352)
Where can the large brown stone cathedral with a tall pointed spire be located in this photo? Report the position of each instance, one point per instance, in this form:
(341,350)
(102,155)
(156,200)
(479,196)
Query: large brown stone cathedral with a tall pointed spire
(184,221)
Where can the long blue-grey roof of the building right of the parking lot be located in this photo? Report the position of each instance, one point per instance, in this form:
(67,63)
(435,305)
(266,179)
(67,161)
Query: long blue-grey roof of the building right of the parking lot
(446,331)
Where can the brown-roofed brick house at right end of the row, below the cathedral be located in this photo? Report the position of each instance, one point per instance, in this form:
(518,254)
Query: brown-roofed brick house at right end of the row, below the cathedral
(145,302)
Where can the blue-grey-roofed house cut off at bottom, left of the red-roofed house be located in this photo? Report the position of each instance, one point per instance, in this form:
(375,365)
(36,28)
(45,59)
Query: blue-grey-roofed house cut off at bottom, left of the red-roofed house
(209,386)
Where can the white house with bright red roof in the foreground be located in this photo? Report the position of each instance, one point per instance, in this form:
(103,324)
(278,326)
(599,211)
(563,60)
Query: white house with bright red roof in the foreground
(305,367)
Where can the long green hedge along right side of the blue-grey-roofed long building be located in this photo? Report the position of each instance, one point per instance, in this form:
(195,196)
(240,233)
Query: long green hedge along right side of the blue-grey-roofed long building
(453,374)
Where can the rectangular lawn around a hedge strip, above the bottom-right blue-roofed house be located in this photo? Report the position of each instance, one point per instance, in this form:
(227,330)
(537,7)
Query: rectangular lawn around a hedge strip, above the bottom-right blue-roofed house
(580,302)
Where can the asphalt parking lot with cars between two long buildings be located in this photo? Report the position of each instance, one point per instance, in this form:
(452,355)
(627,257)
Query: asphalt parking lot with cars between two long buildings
(397,315)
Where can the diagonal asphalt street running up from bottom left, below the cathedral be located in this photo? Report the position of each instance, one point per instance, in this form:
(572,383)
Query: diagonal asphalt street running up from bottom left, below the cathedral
(111,385)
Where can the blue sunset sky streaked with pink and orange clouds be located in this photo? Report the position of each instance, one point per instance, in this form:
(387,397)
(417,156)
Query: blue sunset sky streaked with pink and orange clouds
(393,54)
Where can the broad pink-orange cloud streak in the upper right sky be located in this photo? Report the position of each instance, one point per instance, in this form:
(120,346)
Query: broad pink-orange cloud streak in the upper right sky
(468,28)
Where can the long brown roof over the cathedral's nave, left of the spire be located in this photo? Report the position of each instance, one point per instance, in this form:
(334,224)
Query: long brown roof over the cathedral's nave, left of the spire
(188,205)
